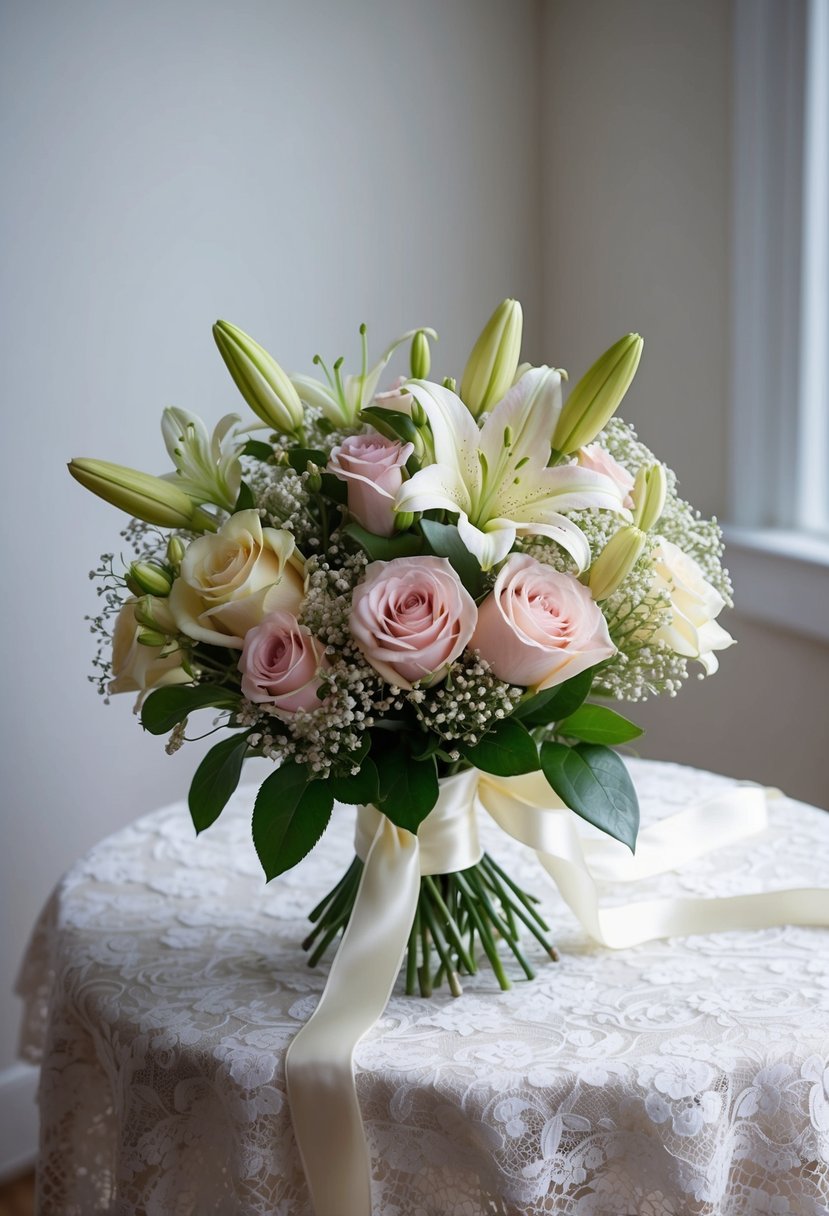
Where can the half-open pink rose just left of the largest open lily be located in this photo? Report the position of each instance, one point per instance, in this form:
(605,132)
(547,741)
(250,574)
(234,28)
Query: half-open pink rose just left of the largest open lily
(371,466)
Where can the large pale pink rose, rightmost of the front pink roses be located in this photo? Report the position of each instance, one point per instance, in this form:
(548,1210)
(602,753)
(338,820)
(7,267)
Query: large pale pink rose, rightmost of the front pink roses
(540,628)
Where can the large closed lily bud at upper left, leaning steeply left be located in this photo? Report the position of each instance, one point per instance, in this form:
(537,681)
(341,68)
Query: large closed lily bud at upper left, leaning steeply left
(260,379)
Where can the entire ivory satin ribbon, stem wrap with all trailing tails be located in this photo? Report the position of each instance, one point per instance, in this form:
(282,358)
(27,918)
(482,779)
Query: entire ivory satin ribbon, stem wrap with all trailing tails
(319,1066)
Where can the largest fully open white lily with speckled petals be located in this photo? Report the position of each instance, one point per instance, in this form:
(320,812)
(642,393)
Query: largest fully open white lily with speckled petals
(497,480)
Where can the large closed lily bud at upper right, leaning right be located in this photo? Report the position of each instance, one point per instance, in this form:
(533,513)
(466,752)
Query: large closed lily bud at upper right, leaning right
(597,396)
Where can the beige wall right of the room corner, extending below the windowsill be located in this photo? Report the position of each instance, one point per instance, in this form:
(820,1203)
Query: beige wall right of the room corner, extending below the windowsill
(636,218)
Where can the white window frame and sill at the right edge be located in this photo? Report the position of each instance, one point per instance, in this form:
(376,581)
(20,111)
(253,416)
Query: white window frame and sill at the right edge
(781,568)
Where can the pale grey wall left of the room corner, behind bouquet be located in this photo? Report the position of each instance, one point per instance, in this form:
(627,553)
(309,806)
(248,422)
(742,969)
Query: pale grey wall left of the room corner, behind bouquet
(296,168)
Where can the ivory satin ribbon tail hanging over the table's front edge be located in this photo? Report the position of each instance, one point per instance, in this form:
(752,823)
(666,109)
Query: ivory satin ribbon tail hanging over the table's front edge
(319,1065)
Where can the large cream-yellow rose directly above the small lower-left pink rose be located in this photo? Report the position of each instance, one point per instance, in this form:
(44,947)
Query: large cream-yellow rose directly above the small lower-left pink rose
(232,581)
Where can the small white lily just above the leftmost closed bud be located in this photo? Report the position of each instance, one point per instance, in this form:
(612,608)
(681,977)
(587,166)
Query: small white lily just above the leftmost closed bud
(208,468)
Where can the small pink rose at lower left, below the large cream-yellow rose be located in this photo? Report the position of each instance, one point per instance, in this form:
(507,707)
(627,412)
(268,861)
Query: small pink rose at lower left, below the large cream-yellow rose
(281,665)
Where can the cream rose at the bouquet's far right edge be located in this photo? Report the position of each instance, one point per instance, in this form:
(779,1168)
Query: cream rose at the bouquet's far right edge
(692,630)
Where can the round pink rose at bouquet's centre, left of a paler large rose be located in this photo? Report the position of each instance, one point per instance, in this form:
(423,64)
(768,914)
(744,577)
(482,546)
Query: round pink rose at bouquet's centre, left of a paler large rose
(411,618)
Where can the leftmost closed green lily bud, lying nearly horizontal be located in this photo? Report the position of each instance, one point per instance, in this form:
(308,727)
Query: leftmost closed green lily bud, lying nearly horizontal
(142,496)
